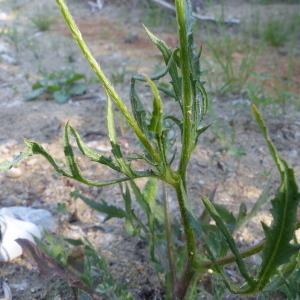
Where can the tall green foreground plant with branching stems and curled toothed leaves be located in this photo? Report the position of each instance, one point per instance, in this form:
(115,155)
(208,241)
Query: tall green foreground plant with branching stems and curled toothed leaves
(195,245)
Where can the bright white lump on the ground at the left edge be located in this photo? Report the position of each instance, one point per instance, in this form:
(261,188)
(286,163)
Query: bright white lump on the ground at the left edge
(12,229)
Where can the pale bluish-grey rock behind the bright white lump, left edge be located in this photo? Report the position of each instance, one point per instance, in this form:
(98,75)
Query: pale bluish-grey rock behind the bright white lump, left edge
(40,217)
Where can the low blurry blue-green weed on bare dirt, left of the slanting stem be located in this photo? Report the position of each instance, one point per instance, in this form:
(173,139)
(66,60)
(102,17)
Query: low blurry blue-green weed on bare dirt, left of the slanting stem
(60,86)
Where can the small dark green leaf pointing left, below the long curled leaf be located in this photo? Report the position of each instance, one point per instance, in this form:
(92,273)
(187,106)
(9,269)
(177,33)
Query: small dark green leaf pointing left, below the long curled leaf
(111,211)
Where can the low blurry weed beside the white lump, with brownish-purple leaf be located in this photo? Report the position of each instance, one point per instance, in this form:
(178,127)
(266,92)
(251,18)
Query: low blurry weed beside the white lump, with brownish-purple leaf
(78,263)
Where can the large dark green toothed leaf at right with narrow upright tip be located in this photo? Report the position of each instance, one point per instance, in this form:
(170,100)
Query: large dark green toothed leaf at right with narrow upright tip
(278,248)
